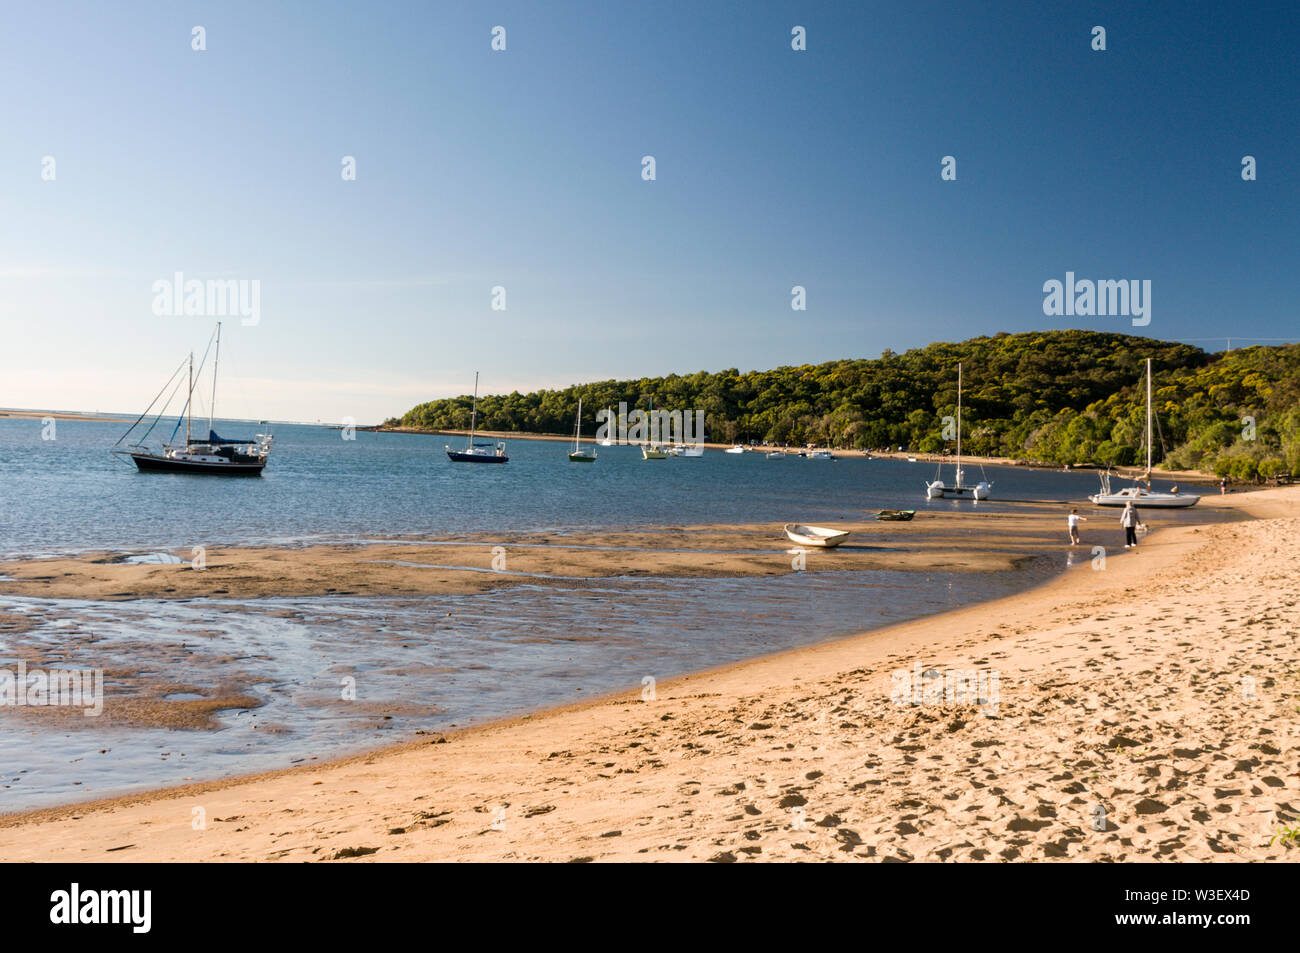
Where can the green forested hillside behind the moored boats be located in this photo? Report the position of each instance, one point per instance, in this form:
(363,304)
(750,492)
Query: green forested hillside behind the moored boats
(1055,397)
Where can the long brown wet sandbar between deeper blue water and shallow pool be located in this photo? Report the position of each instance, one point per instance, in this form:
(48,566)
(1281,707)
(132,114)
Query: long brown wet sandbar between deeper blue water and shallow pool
(956,542)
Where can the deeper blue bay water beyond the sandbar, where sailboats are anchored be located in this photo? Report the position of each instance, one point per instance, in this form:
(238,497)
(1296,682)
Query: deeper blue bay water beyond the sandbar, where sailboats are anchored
(71,496)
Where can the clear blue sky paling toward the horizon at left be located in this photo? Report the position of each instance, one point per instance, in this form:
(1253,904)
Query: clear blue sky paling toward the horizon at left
(523,170)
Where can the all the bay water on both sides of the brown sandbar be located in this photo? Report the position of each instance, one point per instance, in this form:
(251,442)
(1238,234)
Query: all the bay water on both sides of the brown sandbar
(435,662)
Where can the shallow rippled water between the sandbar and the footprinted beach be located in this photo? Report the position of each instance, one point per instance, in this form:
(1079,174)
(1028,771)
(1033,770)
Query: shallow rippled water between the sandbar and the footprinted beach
(426,664)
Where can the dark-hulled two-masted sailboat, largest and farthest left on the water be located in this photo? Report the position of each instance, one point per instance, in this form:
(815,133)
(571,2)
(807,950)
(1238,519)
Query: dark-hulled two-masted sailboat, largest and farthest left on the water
(215,456)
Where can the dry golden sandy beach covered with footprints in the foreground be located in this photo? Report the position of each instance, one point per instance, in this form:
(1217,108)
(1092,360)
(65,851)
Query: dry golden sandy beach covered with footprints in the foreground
(1145,711)
